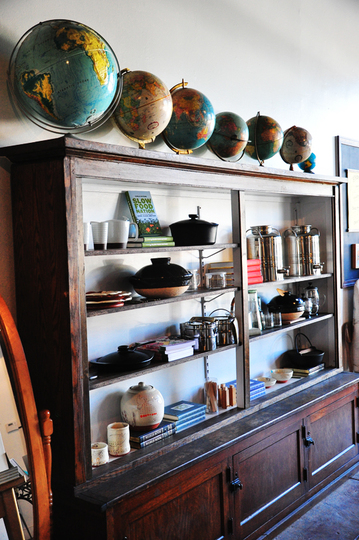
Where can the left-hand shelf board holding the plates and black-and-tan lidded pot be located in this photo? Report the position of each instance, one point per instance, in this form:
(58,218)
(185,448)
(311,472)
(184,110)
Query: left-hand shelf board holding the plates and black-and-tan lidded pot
(148,302)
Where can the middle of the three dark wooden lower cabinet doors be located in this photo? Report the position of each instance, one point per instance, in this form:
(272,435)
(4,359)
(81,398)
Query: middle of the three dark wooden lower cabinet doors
(271,476)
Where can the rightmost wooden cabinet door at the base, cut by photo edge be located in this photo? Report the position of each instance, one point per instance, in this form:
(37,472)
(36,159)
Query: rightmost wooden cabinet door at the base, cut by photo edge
(331,437)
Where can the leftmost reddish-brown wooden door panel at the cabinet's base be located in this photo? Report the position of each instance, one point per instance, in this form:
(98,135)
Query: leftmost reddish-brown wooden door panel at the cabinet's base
(191,506)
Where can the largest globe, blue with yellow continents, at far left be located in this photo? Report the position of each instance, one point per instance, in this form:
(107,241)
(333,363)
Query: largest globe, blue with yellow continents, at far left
(65,77)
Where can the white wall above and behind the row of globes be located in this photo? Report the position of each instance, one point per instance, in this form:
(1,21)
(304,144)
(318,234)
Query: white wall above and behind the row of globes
(294,61)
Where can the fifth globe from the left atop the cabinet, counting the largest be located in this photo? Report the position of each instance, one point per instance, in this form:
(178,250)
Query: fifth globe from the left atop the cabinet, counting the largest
(265,137)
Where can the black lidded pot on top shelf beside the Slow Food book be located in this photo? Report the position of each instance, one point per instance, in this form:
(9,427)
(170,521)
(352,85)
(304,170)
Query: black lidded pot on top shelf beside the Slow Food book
(194,232)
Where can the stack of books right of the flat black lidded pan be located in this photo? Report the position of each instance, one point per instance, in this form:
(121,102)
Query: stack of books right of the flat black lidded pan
(168,348)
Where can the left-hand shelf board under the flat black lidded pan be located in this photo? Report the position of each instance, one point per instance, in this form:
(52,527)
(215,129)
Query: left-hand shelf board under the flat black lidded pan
(104,379)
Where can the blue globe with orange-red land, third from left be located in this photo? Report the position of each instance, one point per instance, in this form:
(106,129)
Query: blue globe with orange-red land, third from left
(192,121)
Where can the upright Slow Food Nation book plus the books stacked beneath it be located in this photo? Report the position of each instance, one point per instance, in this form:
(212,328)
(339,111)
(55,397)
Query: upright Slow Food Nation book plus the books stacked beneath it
(143,213)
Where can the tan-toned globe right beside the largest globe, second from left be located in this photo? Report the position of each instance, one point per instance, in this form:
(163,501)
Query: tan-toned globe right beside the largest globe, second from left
(145,107)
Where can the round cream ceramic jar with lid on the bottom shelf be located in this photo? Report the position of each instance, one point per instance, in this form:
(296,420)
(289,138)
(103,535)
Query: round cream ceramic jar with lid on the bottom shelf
(142,407)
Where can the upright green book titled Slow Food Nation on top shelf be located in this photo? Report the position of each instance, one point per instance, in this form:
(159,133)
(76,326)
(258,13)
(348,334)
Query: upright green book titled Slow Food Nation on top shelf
(143,213)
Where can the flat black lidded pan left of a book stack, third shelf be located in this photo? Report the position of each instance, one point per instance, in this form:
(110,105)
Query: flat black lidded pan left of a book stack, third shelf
(124,359)
